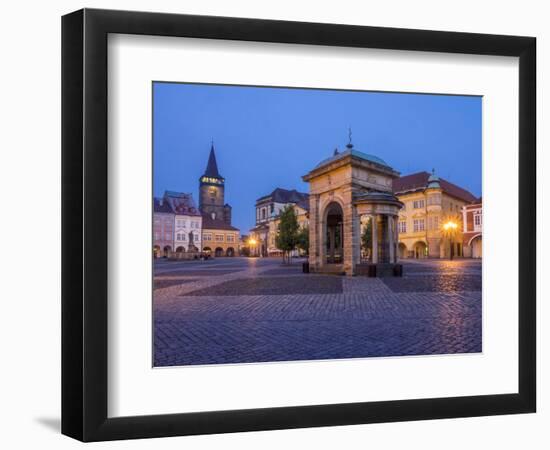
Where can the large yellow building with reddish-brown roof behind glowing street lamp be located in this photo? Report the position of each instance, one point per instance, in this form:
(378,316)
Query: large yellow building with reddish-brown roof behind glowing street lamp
(430,223)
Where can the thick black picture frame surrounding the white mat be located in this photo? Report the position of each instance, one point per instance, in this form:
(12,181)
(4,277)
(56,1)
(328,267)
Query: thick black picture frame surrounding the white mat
(84,224)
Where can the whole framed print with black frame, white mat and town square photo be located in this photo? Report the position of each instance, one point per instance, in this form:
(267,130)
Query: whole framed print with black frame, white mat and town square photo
(273,224)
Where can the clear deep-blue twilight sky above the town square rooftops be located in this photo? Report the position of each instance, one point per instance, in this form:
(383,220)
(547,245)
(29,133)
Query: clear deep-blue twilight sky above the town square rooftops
(269,137)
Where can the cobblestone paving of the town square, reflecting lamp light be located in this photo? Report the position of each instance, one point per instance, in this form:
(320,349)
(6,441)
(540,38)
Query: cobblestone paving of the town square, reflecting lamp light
(242,310)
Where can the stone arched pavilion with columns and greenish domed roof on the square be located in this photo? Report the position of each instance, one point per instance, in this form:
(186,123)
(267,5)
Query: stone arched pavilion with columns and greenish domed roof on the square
(342,189)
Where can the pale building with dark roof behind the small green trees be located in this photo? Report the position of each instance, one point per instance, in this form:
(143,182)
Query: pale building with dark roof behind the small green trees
(268,209)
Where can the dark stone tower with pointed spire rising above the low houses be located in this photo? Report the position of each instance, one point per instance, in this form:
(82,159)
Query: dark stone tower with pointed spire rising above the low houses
(211,191)
